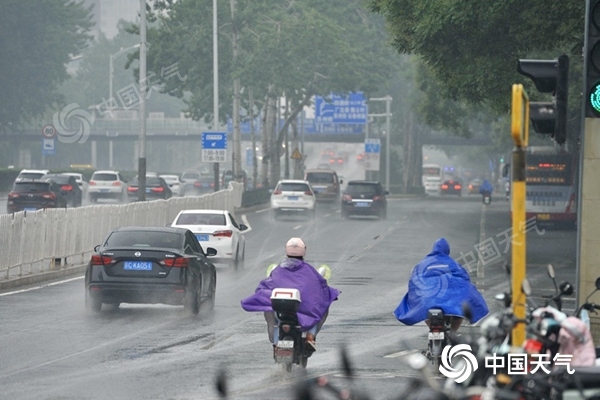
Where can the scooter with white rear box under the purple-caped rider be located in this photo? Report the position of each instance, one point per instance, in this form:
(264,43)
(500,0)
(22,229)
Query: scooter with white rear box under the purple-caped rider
(291,348)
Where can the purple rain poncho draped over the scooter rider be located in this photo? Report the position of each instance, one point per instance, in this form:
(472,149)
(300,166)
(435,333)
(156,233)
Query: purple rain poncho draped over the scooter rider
(315,294)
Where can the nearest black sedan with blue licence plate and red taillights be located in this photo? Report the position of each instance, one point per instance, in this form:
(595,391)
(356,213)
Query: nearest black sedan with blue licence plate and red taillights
(151,265)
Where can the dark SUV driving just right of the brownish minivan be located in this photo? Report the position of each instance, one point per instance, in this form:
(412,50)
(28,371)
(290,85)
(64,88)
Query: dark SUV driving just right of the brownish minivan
(362,197)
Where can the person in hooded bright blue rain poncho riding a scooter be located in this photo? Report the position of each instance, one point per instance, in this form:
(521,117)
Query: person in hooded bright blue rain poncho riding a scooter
(438,281)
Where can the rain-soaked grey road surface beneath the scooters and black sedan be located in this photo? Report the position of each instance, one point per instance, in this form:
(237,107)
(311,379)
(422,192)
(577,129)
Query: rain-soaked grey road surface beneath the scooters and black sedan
(52,349)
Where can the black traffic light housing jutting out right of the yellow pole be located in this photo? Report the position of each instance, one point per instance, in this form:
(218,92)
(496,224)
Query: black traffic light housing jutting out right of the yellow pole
(550,76)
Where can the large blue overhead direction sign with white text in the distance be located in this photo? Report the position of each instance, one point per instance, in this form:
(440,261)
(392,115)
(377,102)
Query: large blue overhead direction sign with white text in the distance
(351,109)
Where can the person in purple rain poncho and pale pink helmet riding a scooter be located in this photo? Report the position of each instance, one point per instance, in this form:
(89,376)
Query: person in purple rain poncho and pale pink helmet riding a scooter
(294,272)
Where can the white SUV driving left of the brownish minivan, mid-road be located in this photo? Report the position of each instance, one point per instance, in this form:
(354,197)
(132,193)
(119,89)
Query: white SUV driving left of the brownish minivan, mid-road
(293,196)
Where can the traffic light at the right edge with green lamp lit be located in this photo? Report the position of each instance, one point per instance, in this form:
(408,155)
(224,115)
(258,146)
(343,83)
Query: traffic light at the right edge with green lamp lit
(592,60)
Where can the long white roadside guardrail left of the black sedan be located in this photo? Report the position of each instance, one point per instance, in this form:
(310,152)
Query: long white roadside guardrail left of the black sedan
(51,239)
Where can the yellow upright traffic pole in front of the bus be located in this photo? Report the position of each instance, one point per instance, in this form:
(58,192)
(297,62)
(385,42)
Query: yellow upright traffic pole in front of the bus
(520,135)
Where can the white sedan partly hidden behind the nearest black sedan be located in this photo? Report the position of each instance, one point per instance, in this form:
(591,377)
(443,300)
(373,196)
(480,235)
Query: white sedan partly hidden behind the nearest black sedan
(217,229)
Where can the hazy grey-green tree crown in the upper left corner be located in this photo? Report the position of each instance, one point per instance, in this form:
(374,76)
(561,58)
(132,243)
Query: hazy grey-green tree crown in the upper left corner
(37,40)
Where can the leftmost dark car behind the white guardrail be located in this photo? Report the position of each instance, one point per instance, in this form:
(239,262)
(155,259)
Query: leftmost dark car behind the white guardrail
(31,195)
